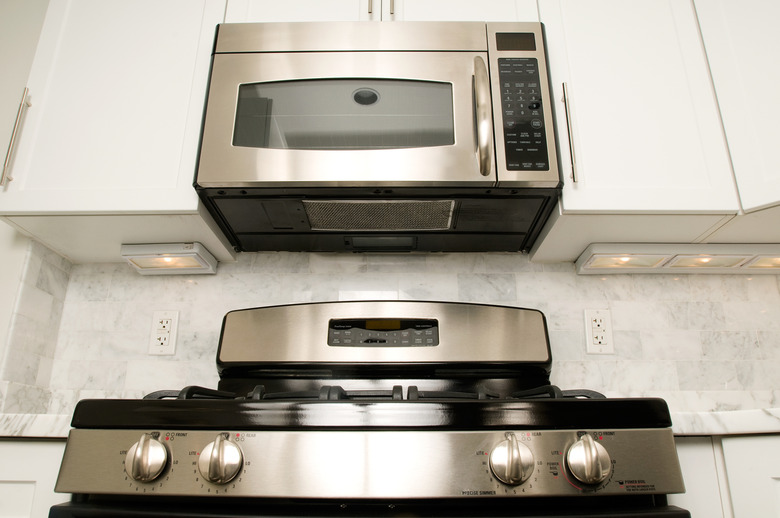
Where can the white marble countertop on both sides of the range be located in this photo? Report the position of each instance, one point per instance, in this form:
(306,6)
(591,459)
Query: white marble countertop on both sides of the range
(735,422)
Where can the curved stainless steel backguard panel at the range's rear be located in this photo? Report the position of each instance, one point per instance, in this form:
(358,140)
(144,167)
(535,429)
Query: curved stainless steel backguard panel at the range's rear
(465,334)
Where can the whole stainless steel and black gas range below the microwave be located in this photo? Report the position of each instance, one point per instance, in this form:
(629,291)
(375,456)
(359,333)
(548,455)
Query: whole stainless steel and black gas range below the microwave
(390,408)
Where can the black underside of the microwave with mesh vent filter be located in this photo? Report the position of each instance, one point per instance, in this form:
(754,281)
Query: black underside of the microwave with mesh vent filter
(380,220)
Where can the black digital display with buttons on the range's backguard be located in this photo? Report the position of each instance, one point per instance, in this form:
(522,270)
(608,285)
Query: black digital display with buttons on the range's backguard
(383,332)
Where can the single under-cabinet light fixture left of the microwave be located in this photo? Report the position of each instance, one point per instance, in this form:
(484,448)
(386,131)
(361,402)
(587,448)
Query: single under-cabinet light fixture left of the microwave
(169,258)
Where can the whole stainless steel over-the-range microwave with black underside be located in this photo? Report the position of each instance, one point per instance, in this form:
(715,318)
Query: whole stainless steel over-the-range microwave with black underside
(379,136)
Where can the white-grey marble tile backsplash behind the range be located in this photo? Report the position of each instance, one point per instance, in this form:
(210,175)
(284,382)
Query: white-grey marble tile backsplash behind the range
(703,342)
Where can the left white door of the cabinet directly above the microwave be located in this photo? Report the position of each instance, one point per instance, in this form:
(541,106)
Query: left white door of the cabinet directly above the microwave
(244,11)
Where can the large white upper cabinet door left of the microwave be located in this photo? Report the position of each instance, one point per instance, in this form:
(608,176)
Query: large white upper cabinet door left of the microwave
(117,90)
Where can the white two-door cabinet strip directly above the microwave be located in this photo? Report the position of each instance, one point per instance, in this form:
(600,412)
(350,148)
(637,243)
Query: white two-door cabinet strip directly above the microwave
(380,10)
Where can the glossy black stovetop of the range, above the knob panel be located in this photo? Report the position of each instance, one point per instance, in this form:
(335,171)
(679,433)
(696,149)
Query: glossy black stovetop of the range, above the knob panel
(368,411)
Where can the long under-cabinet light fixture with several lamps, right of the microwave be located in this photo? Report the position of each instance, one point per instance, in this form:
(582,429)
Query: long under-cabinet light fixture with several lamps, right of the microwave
(673,258)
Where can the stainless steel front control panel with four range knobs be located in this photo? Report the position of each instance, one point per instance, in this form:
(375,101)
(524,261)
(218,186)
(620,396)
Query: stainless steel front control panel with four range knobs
(387,464)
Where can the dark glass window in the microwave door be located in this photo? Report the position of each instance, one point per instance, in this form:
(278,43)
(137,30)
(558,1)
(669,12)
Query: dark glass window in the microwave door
(342,114)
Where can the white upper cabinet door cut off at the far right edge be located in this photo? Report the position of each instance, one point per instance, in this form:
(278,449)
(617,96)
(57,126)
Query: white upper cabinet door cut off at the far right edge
(741,40)
